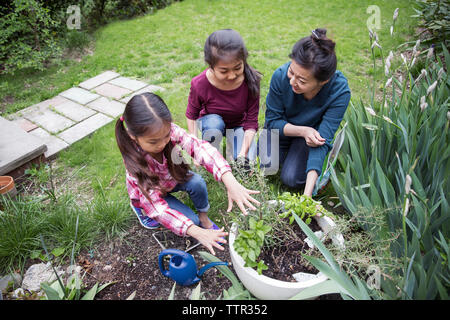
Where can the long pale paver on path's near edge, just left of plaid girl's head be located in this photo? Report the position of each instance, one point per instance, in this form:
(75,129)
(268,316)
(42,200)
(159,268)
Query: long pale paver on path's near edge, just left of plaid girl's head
(84,128)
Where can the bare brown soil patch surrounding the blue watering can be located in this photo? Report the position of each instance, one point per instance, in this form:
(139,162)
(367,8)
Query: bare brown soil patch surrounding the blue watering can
(133,263)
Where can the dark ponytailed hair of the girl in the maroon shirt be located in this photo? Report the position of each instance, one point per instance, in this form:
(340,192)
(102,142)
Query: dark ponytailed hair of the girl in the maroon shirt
(222,44)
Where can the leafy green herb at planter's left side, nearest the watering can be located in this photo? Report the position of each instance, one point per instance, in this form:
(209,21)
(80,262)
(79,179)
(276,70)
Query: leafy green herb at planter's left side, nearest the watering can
(249,242)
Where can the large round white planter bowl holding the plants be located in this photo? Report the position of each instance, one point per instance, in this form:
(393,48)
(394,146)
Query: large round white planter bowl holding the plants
(265,288)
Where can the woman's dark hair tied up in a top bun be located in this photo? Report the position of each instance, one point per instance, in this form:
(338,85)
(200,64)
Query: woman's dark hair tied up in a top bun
(316,53)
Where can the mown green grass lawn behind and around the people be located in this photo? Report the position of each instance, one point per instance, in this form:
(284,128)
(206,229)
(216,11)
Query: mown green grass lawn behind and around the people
(166,49)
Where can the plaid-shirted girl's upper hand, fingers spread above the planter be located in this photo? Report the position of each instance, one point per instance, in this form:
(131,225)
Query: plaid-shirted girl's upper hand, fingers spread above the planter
(238,193)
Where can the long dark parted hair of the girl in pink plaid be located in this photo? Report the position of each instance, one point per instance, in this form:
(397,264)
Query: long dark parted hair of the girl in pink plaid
(145,112)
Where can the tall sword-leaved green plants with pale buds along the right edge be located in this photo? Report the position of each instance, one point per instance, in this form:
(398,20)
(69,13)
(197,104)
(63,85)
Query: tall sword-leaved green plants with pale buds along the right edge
(396,160)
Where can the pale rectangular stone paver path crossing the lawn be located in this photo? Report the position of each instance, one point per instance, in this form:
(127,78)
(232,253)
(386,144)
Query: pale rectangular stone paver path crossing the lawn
(79,111)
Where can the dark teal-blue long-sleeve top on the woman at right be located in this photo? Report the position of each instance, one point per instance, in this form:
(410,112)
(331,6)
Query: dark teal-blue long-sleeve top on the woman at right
(324,112)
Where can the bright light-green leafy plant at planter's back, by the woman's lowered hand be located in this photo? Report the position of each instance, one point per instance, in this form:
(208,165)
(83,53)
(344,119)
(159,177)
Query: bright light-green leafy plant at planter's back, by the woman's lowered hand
(303,206)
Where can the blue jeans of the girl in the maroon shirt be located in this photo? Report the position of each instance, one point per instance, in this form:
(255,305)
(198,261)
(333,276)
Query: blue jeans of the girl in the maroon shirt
(213,130)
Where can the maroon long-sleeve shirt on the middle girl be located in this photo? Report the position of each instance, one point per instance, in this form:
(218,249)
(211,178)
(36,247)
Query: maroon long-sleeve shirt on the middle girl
(237,107)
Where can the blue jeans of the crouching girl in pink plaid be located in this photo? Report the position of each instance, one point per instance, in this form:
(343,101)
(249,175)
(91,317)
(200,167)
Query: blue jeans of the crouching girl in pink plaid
(198,192)
